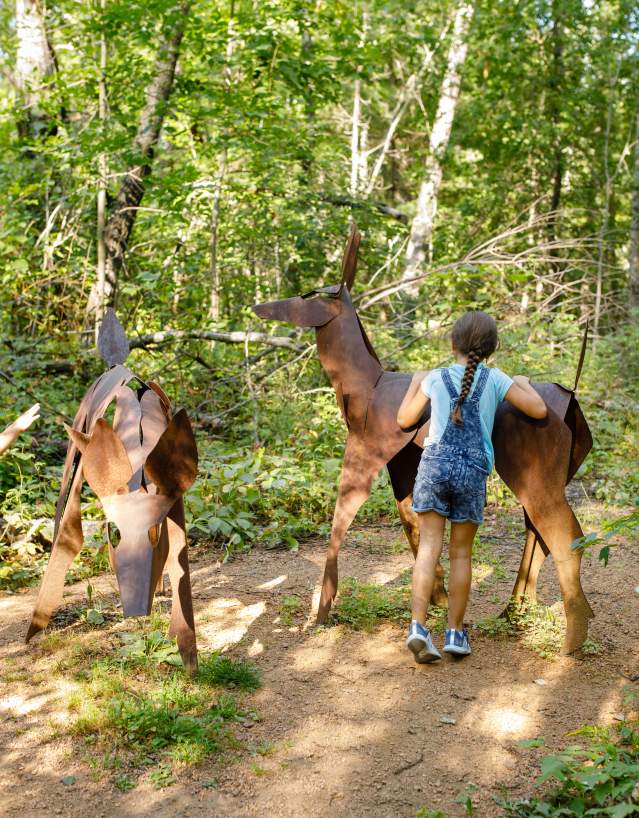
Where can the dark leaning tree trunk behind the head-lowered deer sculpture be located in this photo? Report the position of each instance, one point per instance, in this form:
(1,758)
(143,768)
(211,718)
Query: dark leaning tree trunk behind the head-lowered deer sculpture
(120,223)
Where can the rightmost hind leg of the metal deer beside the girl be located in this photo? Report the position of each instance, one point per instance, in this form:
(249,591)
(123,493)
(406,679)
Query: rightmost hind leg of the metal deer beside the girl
(557,525)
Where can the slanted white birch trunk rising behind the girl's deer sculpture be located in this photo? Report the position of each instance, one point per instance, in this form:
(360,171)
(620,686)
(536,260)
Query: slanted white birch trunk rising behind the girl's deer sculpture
(419,245)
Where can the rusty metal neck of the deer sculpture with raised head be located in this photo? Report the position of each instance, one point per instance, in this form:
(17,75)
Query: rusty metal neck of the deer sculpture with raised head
(347,358)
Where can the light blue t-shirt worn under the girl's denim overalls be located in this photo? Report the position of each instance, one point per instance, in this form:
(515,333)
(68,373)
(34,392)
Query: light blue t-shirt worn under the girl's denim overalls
(433,386)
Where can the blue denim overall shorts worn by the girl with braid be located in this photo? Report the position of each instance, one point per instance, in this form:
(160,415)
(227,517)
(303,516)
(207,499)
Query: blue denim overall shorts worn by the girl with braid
(452,473)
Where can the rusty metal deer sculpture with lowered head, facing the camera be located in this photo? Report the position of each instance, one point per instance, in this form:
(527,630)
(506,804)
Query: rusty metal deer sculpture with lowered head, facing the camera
(139,468)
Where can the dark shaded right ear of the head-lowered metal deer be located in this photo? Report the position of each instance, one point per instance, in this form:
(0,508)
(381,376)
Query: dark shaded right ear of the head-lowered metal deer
(172,464)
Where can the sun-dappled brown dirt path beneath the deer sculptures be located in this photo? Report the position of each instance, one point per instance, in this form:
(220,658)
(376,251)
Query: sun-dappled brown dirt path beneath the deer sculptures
(345,724)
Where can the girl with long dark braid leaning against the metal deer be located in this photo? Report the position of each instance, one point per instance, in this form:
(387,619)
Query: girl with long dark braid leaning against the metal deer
(457,459)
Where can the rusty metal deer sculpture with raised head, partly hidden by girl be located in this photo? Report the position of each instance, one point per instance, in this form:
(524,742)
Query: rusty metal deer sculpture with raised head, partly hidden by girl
(535,458)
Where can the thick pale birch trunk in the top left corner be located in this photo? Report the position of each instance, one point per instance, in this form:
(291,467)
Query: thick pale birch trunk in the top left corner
(35,63)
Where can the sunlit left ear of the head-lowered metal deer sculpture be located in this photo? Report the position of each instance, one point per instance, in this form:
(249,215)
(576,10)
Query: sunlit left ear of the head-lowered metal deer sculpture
(105,463)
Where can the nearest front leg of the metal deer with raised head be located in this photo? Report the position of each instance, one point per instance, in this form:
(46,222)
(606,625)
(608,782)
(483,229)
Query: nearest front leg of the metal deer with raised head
(354,488)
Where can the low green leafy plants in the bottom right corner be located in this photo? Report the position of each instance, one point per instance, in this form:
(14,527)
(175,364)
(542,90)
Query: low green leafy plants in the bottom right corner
(598,779)
